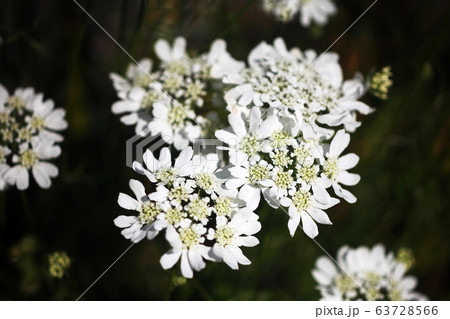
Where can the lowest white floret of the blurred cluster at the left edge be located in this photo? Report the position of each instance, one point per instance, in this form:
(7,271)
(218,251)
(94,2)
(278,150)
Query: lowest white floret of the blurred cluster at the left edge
(33,158)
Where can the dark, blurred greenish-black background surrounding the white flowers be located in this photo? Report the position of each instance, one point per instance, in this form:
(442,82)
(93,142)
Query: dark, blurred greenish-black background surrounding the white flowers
(403,196)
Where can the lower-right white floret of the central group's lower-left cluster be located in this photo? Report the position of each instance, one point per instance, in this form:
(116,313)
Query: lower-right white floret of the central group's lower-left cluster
(230,235)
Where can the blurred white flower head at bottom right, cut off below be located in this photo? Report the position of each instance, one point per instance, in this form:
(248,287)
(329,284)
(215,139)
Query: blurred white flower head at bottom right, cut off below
(370,274)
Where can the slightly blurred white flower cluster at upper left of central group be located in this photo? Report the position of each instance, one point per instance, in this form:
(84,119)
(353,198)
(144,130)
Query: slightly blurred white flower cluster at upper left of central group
(179,100)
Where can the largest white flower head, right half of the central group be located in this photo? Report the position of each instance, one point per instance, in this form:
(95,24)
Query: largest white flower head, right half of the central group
(283,140)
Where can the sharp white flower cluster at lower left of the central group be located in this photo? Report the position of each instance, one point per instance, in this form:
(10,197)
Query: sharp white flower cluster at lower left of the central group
(201,219)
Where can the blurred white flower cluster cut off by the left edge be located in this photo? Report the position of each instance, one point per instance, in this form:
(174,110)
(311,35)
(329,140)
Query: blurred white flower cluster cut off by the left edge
(28,126)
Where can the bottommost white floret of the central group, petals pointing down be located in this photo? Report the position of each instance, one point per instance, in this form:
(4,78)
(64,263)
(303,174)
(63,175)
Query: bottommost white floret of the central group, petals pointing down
(187,244)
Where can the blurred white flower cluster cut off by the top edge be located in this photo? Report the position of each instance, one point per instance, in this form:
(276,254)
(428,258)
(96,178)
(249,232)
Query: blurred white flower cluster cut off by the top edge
(310,10)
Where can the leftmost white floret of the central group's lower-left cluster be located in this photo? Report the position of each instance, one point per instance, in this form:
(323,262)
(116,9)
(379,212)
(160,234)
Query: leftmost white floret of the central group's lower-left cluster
(146,223)
